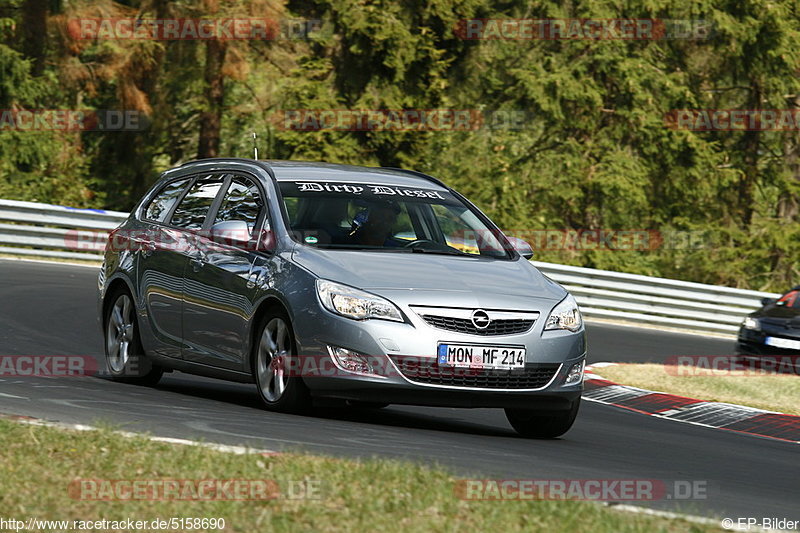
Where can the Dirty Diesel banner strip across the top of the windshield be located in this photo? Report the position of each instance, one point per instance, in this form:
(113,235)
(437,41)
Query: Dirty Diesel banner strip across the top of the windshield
(368,191)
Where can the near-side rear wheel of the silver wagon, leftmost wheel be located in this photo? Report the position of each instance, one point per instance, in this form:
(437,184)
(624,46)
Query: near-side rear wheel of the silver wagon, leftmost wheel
(125,357)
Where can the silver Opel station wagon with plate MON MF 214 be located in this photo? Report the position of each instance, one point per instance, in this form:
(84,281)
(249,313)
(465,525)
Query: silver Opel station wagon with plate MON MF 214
(317,281)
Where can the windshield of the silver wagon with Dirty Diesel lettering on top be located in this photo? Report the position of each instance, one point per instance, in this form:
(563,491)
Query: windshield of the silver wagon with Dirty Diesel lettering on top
(387,218)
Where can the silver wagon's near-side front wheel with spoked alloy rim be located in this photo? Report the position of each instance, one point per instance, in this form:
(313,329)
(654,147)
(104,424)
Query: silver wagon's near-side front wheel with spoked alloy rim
(273,352)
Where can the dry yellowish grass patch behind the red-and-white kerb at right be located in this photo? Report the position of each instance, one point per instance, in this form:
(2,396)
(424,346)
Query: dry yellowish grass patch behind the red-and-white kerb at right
(773,392)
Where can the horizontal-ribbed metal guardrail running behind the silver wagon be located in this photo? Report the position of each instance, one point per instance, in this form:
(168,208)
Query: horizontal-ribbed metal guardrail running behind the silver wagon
(62,232)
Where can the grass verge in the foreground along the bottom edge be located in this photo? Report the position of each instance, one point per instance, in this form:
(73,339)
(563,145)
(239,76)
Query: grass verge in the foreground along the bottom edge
(38,463)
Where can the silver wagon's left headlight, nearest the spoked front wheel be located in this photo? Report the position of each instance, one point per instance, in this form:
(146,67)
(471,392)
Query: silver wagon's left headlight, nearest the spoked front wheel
(355,303)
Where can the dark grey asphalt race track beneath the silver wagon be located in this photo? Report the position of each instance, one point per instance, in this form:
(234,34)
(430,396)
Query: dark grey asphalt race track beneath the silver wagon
(49,309)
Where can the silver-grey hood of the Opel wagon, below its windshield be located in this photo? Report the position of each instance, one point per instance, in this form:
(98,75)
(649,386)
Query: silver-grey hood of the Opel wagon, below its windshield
(428,272)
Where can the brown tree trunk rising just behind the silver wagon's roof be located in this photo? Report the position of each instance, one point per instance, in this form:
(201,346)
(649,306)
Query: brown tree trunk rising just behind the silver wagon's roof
(211,117)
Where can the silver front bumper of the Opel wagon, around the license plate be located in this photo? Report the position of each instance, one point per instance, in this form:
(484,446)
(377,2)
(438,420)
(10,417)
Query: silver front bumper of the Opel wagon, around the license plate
(389,342)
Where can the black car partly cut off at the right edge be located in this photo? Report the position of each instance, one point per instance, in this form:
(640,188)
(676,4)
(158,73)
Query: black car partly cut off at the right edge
(774,329)
